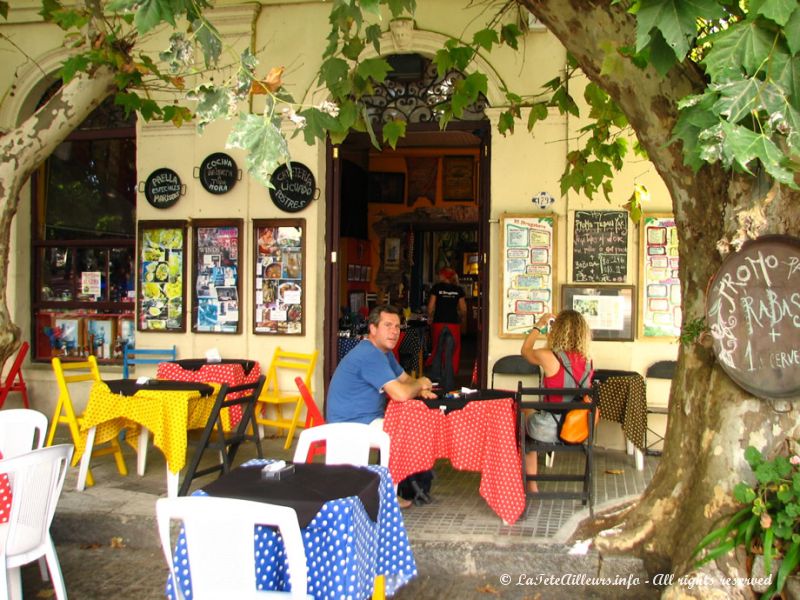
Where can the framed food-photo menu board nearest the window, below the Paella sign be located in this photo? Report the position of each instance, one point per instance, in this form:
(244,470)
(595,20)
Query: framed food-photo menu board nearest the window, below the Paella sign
(161,273)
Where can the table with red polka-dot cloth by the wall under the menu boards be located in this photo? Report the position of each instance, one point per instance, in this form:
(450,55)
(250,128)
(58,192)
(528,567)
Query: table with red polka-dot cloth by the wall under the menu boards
(233,371)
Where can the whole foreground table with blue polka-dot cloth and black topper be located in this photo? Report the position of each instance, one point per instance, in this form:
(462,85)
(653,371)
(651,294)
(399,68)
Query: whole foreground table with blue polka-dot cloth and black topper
(351,526)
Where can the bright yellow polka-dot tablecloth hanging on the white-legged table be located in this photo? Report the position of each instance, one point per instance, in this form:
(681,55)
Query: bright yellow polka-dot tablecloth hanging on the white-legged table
(167,414)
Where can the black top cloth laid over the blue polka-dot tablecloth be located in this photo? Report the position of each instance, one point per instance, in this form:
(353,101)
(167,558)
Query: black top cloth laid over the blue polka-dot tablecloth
(311,486)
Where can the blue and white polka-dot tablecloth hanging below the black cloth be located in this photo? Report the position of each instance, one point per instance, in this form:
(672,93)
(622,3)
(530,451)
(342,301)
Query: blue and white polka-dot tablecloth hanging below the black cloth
(345,549)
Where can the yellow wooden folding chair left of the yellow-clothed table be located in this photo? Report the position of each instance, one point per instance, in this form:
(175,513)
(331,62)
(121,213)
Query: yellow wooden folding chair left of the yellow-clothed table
(65,412)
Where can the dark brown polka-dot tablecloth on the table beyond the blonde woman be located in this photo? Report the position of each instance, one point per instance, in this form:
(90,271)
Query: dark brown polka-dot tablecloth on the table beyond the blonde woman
(623,399)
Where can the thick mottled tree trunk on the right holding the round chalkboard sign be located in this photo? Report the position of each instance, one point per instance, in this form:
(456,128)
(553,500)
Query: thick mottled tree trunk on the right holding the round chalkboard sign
(711,419)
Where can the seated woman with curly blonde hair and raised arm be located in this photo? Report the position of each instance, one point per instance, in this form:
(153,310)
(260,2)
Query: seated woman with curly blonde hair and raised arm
(568,335)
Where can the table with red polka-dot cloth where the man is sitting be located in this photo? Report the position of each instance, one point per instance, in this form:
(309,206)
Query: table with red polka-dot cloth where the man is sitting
(477,432)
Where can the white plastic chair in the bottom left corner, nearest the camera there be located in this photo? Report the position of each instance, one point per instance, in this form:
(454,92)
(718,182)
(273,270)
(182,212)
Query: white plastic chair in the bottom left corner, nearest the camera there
(36,480)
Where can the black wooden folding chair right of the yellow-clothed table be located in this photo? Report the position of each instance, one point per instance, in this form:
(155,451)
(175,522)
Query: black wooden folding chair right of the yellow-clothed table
(226,443)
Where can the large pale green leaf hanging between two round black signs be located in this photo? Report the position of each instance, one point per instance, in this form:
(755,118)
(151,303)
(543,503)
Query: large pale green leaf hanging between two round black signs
(266,148)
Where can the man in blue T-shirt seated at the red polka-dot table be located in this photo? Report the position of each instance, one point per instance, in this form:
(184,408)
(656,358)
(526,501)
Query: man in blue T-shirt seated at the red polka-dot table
(369,373)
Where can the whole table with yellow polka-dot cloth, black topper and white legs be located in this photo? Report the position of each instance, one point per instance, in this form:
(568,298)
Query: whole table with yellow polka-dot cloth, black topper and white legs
(168,409)
